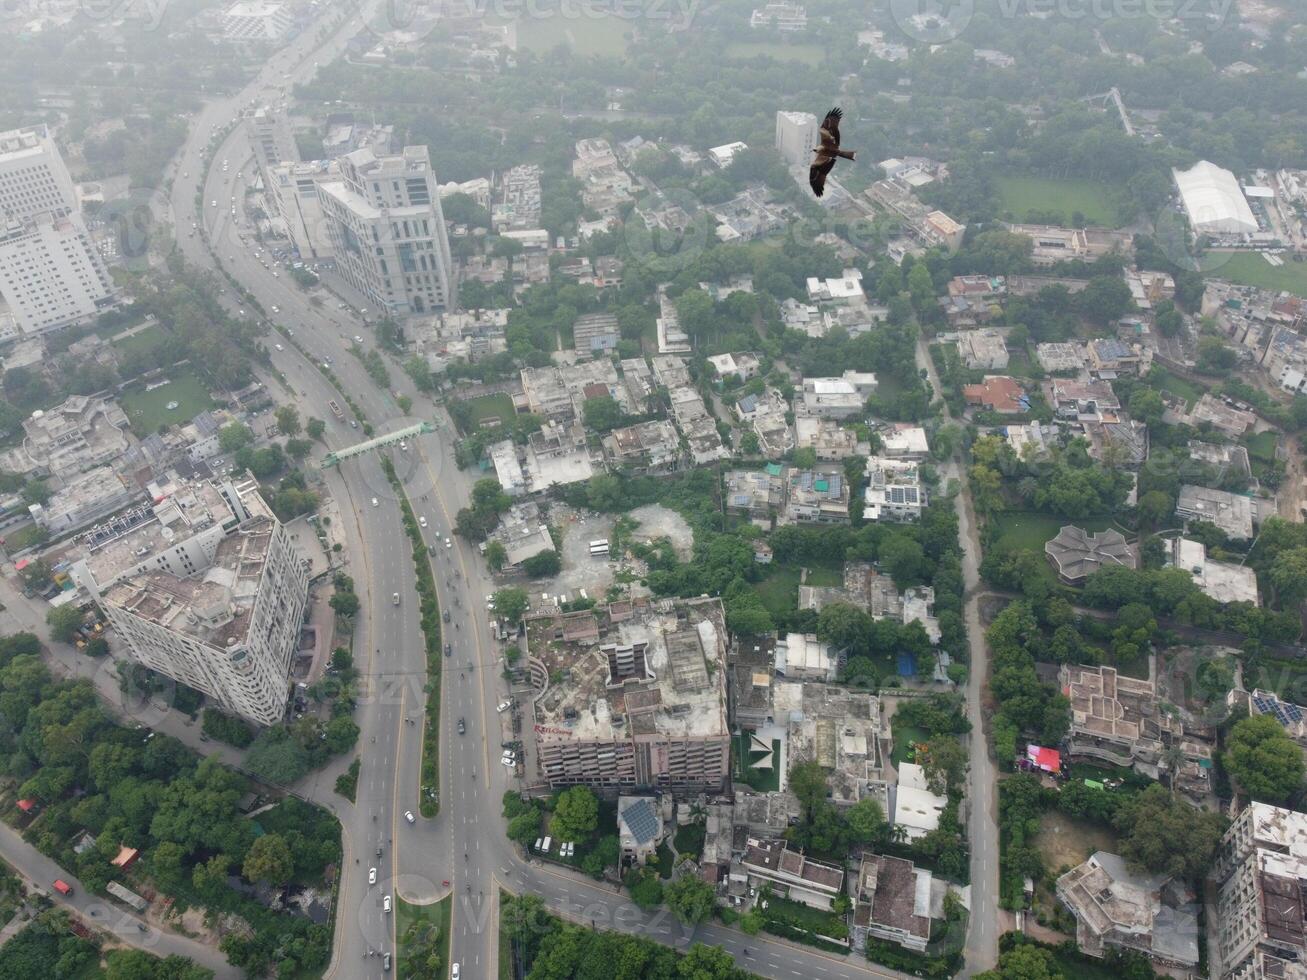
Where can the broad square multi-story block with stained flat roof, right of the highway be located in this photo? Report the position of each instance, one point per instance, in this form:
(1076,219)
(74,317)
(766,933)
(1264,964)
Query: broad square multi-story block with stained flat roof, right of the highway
(631,696)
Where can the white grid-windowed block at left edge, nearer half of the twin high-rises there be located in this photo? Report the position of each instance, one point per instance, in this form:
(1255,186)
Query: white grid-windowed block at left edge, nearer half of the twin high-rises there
(50,274)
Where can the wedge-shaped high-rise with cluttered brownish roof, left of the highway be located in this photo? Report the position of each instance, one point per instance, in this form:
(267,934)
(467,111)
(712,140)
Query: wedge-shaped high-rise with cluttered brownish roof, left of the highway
(205,587)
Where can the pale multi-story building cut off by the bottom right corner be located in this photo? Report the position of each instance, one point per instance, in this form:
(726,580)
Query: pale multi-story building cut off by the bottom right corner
(1262,868)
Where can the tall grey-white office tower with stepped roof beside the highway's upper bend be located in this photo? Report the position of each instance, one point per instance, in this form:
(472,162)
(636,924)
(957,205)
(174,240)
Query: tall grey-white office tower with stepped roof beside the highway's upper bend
(388,232)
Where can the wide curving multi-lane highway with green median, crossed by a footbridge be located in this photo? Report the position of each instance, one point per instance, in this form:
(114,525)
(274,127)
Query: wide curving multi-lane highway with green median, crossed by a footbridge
(465,851)
